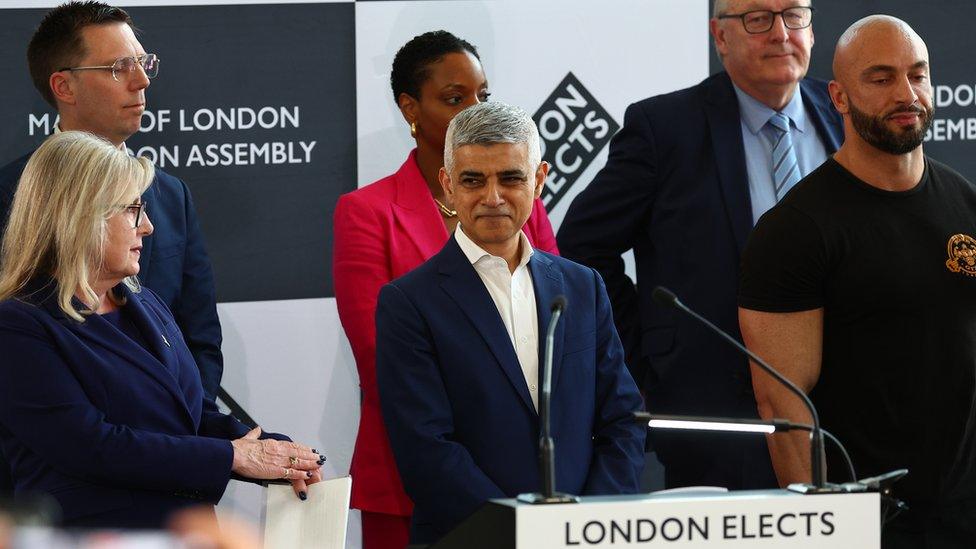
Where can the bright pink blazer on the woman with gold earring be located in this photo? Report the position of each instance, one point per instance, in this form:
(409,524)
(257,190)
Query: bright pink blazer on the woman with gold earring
(381,232)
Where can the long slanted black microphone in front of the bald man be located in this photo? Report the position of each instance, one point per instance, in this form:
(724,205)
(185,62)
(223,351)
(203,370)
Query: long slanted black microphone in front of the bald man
(666,298)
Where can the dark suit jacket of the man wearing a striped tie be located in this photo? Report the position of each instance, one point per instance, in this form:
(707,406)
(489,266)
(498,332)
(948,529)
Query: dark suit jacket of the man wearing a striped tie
(676,191)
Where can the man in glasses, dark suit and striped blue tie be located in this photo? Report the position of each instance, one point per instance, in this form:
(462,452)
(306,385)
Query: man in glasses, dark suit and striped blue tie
(687,178)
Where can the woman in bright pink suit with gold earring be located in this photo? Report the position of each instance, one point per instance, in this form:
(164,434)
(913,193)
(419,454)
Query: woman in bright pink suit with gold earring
(388,228)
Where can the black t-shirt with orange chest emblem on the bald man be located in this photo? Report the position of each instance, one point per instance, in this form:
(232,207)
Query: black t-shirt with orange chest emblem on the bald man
(895,273)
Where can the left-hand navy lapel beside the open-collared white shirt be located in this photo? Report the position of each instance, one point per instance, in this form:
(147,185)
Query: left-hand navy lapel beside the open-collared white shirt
(462,283)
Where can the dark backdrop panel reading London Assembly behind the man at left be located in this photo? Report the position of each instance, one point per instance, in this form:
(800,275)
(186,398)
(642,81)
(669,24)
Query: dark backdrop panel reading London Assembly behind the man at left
(255,109)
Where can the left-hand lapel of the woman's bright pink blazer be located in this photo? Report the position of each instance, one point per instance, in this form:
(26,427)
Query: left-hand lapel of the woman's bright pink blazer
(415,212)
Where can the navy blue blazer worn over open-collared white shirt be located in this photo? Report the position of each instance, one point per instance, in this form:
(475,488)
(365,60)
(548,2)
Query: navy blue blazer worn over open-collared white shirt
(456,405)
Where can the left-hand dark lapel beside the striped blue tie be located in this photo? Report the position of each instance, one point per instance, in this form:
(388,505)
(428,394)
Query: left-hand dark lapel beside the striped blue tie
(722,112)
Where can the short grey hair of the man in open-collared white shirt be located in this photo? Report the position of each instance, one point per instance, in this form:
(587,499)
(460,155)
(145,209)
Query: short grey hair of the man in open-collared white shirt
(490,123)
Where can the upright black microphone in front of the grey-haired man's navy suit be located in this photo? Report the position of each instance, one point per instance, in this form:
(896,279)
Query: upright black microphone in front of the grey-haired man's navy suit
(547,457)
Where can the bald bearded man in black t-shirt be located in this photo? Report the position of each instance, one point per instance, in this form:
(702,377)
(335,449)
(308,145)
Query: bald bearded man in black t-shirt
(860,286)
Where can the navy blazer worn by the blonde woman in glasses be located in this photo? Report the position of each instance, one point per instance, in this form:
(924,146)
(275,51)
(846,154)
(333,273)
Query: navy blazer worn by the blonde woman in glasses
(118,434)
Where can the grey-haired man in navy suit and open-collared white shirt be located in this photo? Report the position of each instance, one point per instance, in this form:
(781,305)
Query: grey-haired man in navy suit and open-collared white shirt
(459,346)
